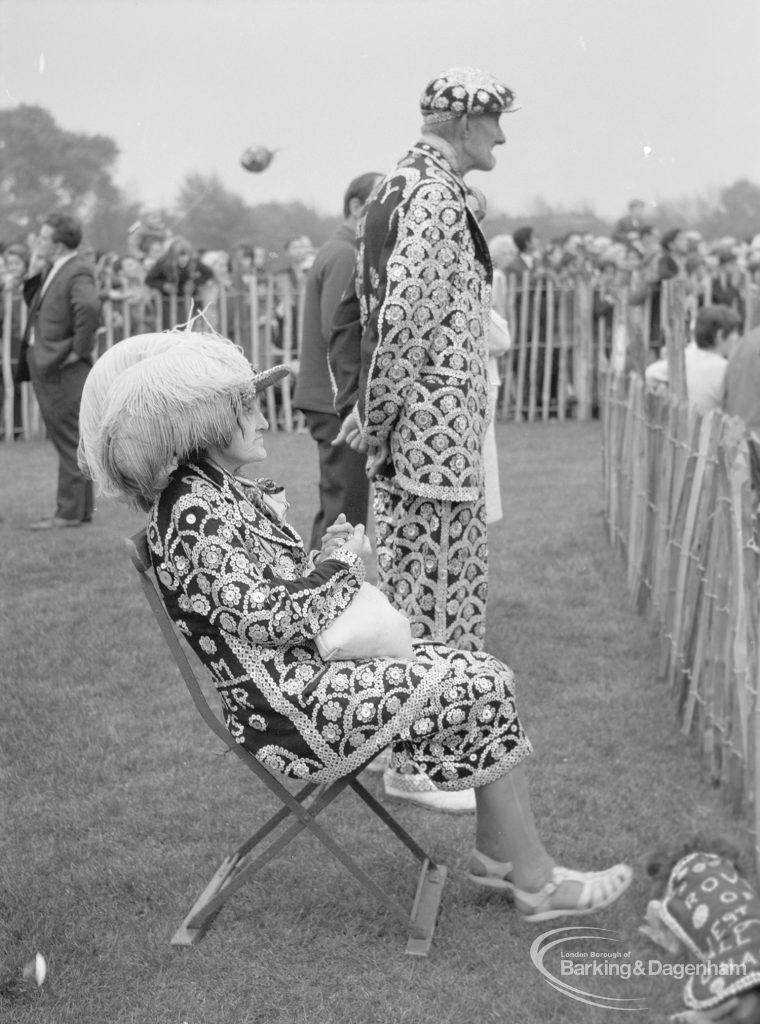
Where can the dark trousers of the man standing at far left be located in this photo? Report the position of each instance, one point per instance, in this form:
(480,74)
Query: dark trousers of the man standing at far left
(59,396)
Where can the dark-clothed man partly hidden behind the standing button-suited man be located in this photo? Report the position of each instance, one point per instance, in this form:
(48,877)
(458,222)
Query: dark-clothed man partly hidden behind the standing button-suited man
(344,484)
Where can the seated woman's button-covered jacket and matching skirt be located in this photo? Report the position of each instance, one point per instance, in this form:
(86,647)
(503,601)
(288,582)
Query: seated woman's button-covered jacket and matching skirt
(237,582)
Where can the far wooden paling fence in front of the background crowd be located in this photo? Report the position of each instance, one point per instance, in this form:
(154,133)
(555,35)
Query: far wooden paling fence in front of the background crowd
(561,350)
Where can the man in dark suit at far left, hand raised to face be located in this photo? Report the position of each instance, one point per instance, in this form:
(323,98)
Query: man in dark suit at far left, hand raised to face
(57,355)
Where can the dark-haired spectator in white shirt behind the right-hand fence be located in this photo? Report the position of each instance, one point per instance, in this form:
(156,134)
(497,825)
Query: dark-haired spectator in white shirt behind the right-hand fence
(716,333)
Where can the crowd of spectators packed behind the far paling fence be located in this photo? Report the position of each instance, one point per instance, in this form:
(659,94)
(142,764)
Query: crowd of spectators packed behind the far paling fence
(160,278)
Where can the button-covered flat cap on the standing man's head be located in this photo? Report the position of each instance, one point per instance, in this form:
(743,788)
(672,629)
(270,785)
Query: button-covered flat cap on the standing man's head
(462,92)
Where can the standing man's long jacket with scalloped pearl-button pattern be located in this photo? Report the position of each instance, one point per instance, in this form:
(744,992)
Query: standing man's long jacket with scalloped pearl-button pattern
(425,286)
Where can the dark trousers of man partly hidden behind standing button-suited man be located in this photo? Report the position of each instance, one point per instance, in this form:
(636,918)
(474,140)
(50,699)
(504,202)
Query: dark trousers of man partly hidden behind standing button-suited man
(344,484)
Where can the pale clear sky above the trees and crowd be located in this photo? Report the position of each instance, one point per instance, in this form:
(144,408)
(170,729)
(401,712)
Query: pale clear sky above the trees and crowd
(656,100)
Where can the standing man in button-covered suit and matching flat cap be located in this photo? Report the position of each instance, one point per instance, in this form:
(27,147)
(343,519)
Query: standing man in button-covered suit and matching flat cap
(425,278)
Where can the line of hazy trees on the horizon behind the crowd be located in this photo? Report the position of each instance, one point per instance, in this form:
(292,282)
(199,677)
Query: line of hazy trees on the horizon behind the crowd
(46,167)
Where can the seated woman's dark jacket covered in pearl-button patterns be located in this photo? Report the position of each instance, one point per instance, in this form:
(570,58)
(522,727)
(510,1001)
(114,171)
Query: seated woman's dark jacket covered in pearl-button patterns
(237,582)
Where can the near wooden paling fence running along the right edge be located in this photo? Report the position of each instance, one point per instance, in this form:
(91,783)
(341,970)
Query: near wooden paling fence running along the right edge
(681,509)
